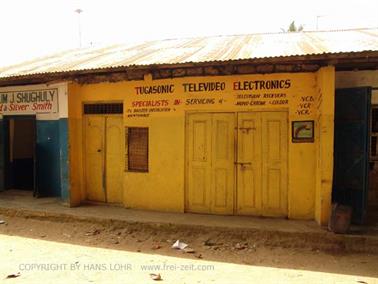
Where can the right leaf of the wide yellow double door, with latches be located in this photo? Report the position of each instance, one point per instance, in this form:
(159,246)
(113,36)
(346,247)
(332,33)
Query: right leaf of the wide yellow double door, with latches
(262,164)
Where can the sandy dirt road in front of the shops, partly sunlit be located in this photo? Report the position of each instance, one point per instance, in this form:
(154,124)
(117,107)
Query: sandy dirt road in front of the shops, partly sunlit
(44,251)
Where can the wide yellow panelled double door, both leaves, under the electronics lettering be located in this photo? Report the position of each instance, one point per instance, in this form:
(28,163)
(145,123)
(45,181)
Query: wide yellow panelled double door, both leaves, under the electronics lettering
(237,163)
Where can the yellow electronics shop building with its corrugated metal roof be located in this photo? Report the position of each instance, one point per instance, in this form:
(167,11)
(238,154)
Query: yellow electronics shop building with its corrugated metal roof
(230,134)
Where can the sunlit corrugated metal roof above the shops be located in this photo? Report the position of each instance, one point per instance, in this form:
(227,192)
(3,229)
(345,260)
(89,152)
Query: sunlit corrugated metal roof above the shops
(201,49)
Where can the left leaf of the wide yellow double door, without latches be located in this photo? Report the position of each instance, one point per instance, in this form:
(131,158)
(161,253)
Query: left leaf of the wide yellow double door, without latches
(210,174)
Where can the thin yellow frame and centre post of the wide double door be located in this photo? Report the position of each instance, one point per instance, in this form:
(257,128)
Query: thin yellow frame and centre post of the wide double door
(186,152)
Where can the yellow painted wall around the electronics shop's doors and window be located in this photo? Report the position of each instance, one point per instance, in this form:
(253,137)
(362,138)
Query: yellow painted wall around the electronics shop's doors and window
(162,188)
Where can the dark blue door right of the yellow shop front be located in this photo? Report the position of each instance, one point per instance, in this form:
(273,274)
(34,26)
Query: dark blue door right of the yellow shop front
(351,150)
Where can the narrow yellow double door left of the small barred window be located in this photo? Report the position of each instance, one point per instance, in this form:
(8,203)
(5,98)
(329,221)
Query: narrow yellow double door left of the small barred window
(104,158)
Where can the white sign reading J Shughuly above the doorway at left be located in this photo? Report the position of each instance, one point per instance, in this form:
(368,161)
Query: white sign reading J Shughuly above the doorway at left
(30,101)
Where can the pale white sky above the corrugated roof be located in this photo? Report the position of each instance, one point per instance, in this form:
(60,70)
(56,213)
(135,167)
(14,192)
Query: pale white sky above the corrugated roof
(34,28)
